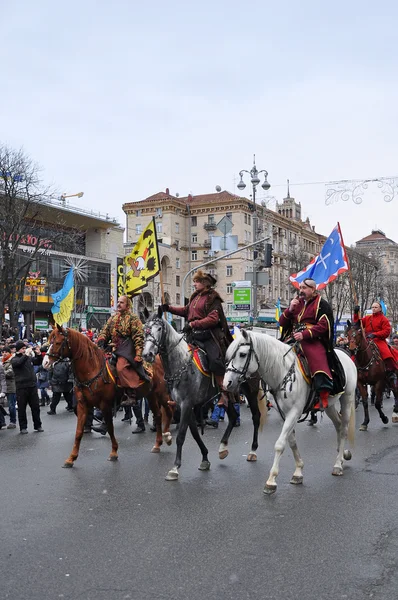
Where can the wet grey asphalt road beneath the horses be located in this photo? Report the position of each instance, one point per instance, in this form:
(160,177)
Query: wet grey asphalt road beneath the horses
(118,530)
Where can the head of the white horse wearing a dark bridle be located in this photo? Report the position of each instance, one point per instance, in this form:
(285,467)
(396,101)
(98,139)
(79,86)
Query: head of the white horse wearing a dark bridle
(242,360)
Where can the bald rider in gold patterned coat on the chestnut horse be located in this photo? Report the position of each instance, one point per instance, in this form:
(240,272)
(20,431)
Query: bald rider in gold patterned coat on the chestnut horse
(125,333)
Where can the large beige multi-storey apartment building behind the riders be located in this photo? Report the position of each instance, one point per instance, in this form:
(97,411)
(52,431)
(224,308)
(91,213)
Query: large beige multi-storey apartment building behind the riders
(185,227)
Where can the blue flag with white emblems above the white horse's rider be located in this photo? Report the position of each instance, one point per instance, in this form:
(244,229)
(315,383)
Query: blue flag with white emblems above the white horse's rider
(328,265)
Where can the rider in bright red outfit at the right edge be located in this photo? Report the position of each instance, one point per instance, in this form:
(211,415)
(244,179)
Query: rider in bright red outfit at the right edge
(377,328)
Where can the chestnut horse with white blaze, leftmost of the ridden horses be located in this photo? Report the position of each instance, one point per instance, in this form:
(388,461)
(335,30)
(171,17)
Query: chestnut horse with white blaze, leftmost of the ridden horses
(95,386)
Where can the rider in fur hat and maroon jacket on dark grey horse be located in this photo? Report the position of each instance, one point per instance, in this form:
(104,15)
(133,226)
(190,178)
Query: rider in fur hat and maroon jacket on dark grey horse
(206,325)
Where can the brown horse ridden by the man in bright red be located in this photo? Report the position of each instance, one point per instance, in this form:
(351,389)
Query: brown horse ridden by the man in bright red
(371,370)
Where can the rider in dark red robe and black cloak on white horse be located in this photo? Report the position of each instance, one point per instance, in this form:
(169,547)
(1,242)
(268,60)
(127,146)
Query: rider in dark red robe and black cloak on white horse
(309,321)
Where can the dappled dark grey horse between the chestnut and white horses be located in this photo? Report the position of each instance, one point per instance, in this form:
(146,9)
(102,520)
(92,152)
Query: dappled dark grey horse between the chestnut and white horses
(190,388)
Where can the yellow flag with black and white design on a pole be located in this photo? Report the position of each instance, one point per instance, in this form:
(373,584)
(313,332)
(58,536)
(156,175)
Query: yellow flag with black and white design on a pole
(143,260)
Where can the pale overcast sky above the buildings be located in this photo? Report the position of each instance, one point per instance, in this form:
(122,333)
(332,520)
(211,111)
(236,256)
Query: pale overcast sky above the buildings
(123,99)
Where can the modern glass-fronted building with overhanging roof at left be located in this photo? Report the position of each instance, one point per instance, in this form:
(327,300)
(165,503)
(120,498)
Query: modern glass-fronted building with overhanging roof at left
(73,235)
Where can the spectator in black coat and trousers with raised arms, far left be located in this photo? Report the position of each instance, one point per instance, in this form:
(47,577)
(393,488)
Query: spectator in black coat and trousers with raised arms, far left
(26,386)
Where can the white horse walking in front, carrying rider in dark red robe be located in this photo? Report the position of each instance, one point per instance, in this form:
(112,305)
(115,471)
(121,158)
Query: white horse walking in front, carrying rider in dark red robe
(279,368)
